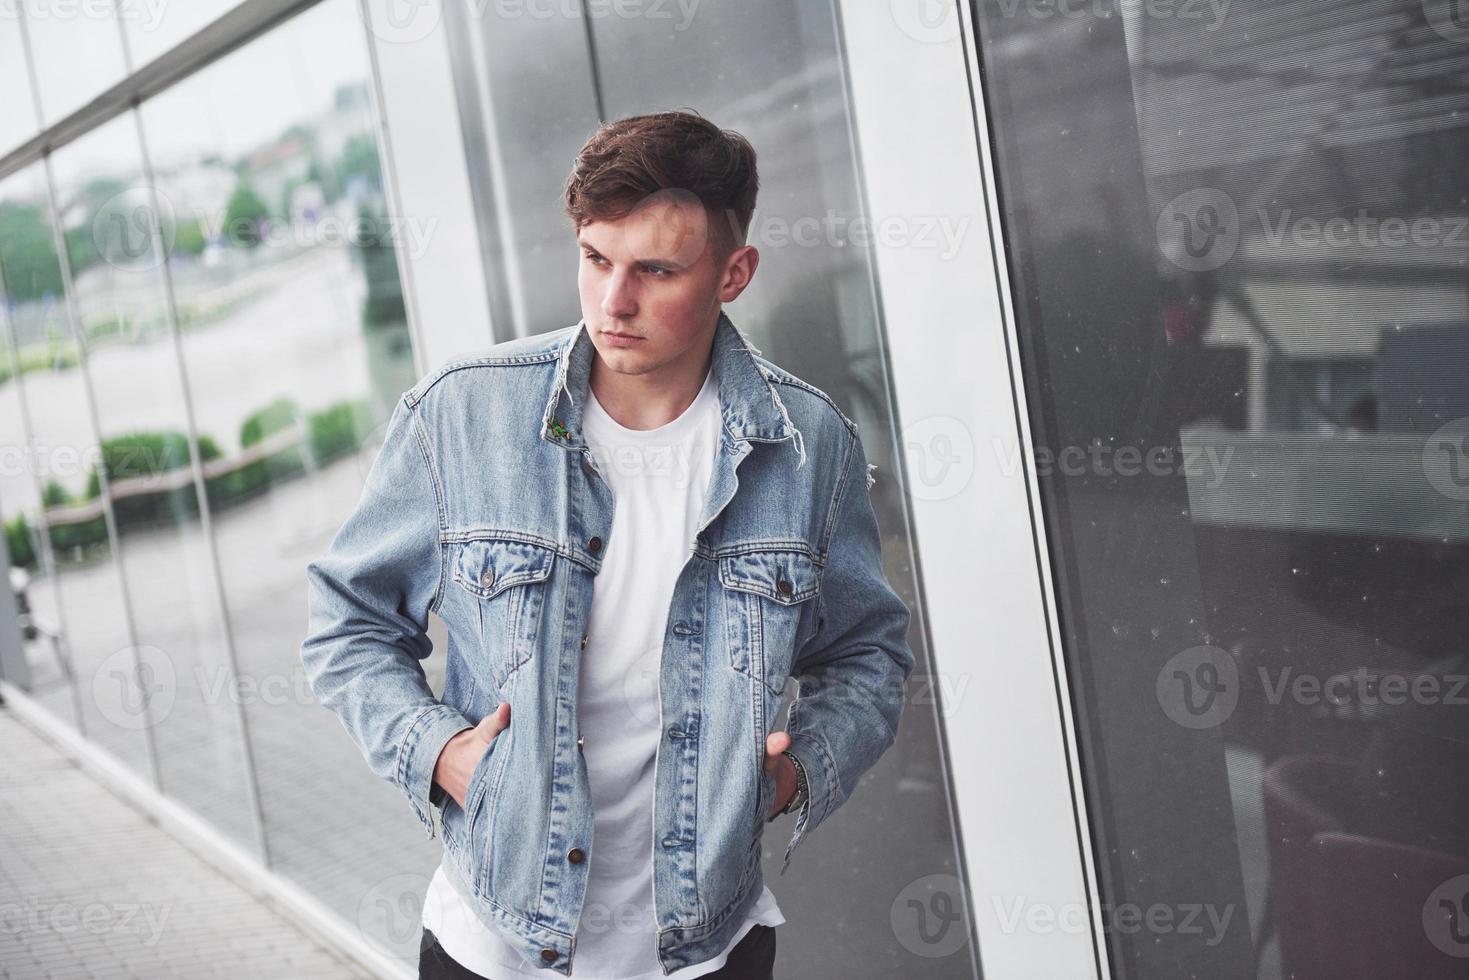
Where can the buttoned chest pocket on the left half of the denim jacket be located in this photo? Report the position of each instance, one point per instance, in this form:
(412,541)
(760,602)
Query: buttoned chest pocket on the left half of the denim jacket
(508,583)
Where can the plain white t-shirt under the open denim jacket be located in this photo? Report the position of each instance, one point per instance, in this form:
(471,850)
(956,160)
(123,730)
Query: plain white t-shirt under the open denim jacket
(660,480)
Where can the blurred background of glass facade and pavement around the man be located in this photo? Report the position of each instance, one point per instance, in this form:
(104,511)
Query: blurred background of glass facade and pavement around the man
(1154,317)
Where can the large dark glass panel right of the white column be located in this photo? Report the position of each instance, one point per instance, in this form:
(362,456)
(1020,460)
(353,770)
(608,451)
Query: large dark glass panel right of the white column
(1239,242)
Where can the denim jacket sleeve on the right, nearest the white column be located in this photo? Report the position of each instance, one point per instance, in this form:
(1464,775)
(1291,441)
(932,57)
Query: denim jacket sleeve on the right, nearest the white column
(853,671)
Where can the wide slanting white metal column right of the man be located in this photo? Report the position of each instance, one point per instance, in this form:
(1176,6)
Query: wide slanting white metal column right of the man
(989,602)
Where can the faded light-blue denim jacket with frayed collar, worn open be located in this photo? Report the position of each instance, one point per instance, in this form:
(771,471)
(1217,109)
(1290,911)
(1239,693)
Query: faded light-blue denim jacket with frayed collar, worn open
(486,508)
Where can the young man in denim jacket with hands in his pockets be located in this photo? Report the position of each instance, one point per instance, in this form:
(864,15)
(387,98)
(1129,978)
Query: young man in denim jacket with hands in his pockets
(635,531)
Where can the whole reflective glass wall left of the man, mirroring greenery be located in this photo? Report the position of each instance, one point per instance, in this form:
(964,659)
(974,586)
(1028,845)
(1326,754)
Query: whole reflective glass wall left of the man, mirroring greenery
(196,392)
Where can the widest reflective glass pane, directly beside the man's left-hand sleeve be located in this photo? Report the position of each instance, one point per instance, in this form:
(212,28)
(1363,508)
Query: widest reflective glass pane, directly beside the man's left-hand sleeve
(296,347)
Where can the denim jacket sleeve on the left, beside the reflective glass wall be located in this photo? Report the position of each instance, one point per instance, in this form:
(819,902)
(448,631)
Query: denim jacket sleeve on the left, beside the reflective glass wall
(368,608)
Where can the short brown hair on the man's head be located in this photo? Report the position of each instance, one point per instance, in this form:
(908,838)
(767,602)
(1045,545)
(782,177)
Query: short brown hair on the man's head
(628,161)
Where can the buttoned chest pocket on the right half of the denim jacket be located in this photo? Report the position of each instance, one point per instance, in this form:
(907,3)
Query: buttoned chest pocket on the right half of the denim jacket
(769,610)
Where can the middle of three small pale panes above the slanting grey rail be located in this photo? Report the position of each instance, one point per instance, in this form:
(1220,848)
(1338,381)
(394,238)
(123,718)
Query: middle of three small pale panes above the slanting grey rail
(77,51)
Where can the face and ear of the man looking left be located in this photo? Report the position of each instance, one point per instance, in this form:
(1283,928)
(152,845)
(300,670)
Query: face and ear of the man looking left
(654,277)
